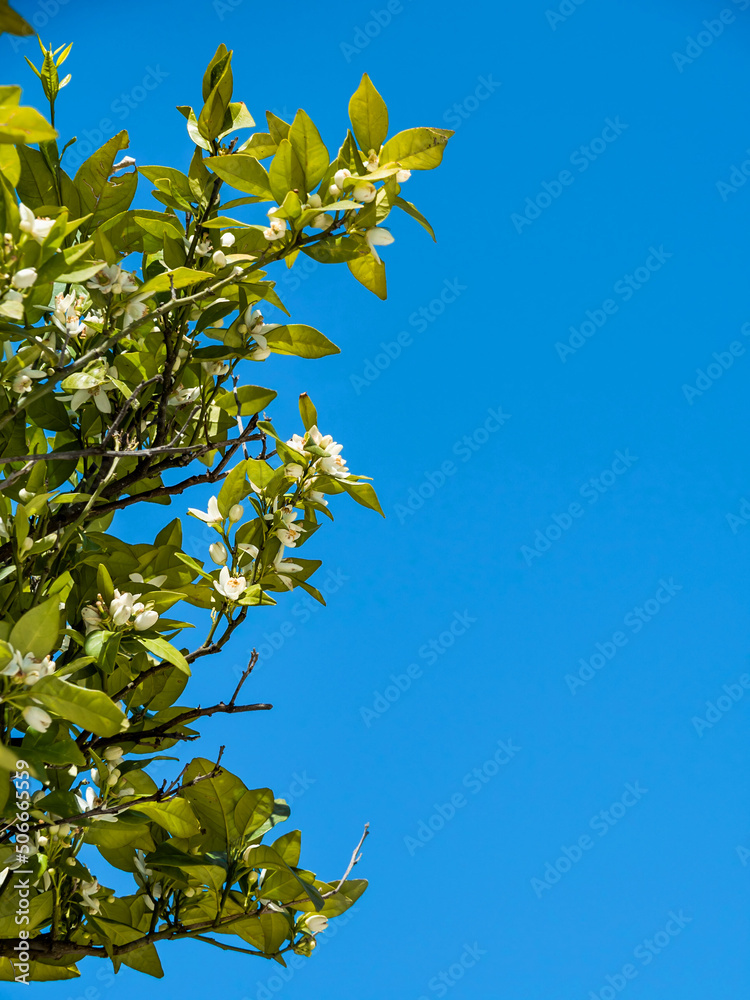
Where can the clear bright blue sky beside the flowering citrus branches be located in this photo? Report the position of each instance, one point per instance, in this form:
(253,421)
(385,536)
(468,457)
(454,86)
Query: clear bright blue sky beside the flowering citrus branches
(402,582)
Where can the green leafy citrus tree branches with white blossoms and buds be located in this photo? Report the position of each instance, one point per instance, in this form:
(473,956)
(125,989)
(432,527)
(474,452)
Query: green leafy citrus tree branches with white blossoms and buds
(128,334)
